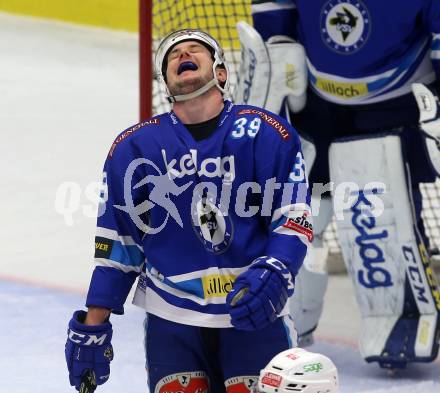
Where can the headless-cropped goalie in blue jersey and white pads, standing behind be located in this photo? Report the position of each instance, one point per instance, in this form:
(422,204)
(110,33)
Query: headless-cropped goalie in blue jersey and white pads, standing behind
(363,61)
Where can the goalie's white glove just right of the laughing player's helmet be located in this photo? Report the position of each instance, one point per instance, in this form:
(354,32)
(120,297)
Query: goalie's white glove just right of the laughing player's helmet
(270,72)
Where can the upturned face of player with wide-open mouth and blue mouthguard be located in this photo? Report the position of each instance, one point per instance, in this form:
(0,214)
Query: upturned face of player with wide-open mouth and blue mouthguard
(189,67)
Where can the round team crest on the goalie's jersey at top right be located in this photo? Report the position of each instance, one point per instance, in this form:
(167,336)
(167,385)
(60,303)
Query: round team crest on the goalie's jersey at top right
(345,26)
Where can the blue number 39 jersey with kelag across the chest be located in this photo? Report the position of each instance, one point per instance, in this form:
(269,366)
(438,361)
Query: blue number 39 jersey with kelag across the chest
(187,217)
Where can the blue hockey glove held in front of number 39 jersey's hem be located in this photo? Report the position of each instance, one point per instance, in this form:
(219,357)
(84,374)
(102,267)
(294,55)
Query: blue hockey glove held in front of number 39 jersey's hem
(259,294)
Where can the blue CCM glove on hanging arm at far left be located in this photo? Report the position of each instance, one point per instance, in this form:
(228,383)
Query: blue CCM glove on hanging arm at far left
(88,348)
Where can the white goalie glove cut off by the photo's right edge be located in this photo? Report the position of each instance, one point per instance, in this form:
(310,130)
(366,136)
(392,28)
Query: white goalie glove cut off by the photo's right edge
(429,121)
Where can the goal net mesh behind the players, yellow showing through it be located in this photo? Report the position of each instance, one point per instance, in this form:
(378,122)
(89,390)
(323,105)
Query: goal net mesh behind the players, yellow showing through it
(219,17)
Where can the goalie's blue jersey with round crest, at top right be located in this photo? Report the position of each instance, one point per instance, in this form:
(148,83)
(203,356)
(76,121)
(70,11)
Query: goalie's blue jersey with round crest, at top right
(359,51)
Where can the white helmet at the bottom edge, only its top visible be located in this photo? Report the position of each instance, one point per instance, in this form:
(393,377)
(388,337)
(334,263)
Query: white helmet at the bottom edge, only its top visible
(297,370)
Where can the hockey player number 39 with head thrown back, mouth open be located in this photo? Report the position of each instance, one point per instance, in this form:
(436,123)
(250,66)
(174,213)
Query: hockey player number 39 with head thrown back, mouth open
(207,206)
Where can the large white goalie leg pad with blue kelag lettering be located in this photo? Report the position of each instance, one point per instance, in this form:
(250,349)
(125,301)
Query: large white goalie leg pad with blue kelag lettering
(382,249)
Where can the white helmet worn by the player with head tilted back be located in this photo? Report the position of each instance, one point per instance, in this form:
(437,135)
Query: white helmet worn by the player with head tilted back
(160,60)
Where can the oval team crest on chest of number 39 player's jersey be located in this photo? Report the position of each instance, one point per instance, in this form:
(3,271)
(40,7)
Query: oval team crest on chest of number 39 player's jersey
(211,223)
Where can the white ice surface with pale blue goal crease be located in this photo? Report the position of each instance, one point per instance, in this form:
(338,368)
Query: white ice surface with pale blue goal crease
(65,92)
